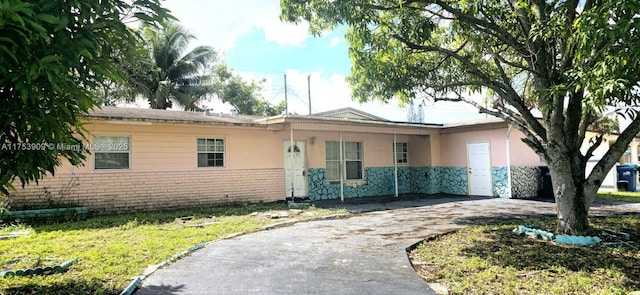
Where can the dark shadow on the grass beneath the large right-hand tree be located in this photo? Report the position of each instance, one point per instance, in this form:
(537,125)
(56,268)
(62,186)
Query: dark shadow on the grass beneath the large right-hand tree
(502,247)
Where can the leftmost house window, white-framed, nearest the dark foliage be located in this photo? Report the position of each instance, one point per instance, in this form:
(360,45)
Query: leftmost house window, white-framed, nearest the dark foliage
(111,152)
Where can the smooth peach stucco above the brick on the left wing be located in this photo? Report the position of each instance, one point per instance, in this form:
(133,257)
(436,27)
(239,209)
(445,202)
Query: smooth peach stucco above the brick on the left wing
(172,147)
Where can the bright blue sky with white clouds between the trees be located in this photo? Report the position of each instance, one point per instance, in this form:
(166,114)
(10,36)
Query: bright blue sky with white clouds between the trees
(251,39)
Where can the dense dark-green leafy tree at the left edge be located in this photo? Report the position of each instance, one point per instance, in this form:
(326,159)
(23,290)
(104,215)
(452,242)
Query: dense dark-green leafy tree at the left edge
(53,54)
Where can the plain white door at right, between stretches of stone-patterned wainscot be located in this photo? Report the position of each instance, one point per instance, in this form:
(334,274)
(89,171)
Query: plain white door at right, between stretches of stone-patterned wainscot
(479,169)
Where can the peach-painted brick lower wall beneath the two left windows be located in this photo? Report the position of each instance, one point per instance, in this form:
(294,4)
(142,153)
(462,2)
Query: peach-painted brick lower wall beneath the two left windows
(124,191)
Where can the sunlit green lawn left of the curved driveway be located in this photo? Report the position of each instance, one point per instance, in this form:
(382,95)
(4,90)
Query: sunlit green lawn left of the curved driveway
(113,249)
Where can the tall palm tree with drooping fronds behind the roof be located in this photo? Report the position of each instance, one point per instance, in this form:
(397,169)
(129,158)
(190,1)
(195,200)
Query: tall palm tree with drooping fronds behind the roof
(175,75)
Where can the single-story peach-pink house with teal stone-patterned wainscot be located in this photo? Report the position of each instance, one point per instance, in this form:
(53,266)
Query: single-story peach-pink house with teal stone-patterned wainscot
(145,159)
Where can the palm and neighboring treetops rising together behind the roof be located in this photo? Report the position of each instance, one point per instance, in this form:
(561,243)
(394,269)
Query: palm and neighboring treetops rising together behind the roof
(165,72)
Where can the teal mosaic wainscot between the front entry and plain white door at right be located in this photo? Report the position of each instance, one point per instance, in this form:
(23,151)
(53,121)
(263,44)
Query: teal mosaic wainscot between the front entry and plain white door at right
(379,181)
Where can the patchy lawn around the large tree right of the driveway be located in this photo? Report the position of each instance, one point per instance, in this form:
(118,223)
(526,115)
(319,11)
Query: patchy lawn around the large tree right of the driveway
(492,260)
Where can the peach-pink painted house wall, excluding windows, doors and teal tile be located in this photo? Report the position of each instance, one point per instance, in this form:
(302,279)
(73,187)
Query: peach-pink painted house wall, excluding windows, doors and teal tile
(163,159)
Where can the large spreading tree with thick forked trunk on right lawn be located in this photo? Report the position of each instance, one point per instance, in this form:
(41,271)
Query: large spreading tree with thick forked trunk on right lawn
(552,69)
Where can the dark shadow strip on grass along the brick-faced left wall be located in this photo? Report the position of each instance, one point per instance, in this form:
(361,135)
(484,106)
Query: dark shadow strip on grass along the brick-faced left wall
(160,217)
